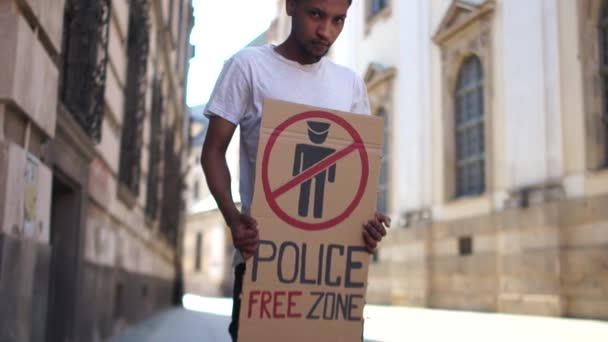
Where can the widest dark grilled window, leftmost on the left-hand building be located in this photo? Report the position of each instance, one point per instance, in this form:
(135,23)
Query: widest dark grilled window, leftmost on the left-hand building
(83,62)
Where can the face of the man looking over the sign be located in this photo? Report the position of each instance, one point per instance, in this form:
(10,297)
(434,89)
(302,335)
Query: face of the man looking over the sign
(316,24)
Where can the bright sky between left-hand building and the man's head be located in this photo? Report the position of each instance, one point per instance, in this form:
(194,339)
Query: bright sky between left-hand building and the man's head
(222,27)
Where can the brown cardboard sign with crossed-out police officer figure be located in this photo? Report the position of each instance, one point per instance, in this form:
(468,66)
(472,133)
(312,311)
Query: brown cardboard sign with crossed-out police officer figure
(316,185)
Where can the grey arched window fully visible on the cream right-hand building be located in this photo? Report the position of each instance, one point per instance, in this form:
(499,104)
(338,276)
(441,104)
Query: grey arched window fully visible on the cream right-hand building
(469,129)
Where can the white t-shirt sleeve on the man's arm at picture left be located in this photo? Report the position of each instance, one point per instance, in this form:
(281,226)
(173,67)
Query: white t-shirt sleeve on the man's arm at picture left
(231,96)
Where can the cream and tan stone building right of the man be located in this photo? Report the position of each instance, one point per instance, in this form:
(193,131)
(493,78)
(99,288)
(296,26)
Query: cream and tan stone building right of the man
(495,162)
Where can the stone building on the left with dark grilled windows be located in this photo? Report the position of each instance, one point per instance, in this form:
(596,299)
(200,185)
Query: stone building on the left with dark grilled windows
(93,137)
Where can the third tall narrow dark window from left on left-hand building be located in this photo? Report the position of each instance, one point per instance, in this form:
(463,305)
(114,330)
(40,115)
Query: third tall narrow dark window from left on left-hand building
(155,151)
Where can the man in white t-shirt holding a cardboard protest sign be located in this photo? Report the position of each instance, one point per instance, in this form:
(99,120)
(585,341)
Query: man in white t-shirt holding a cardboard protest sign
(294,71)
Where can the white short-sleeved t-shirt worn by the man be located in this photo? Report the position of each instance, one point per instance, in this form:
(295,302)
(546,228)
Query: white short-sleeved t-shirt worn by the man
(258,72)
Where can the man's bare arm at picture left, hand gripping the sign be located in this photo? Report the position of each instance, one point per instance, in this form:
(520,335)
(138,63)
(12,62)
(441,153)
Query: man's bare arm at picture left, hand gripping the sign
(213,160)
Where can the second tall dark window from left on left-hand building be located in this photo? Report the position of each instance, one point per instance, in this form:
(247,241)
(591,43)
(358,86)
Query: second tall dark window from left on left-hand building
(135,91)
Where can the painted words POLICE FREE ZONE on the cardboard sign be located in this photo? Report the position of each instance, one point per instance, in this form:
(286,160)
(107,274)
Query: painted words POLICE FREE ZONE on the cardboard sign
(291,260)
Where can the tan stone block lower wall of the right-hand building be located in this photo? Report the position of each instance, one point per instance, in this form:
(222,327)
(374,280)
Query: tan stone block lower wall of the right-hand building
(547,258)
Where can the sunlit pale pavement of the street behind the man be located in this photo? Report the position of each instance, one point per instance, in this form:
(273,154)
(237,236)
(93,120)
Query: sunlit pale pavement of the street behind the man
(206,319)
